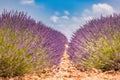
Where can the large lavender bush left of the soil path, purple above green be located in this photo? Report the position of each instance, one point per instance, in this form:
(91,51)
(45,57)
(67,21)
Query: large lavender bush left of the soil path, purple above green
(27,46)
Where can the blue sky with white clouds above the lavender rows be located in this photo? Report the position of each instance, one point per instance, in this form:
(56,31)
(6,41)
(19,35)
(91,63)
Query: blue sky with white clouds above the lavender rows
(65,16)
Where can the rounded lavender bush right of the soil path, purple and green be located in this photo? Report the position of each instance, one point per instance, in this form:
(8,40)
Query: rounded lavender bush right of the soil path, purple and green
(97,44)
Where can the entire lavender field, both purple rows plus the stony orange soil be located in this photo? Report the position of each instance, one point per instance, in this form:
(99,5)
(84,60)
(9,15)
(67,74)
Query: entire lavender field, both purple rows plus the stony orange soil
(28,47)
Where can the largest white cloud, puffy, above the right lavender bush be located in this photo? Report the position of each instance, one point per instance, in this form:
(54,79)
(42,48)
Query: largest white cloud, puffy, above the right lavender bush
(97,10)
